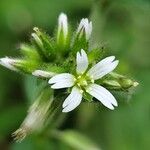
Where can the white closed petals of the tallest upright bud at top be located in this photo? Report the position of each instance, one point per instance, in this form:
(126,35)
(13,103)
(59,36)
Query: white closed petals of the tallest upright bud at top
(63,25)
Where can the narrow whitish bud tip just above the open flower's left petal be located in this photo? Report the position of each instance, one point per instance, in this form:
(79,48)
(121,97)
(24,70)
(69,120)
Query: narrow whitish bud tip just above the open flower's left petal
(44,74)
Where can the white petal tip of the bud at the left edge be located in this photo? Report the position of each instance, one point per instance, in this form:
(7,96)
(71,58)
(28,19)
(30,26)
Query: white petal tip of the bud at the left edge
(8,63)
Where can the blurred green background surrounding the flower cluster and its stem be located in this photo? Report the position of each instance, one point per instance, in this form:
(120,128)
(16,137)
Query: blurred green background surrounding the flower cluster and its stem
(121,25)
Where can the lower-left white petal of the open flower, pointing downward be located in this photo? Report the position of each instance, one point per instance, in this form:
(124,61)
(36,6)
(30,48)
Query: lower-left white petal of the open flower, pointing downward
(73,100)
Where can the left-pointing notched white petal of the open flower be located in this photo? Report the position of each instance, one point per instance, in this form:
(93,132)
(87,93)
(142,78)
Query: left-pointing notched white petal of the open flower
(62,80)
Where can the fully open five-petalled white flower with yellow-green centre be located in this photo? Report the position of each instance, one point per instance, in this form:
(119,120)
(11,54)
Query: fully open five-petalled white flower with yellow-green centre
(84,82)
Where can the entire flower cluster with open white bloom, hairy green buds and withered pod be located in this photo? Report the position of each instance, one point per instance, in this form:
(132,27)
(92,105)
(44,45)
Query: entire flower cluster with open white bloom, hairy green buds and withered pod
(53,59)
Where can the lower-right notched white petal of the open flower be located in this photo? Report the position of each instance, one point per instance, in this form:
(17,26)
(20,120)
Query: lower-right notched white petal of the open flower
(103,95)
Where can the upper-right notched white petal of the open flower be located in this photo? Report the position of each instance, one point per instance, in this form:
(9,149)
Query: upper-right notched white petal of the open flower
(102,68)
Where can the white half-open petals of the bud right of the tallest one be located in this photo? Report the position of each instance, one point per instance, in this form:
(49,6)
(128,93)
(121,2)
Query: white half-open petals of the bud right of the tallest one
(85,27)
